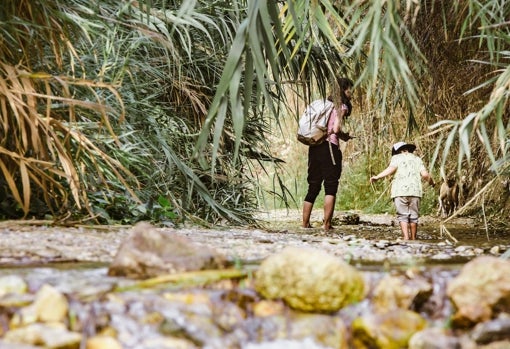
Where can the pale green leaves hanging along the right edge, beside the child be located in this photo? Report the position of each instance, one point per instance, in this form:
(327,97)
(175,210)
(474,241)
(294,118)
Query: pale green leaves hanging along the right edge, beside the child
(485,23)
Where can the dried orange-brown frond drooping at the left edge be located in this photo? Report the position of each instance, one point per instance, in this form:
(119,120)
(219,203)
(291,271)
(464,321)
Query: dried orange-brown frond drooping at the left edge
(48,139)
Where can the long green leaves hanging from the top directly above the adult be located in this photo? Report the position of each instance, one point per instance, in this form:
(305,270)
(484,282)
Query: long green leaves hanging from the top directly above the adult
(259,44)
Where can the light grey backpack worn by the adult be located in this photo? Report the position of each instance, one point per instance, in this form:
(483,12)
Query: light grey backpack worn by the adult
(313,123)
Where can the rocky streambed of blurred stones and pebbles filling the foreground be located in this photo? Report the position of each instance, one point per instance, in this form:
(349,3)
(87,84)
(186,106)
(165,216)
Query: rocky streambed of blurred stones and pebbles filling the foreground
(54,285)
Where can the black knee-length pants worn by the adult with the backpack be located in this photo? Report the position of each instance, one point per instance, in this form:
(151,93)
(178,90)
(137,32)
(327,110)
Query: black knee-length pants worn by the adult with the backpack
(324,168)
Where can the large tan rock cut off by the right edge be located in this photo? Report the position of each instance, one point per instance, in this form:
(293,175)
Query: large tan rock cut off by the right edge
(481,290)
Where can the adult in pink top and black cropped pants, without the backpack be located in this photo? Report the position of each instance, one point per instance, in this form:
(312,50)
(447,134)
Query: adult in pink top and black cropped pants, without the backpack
(325,159)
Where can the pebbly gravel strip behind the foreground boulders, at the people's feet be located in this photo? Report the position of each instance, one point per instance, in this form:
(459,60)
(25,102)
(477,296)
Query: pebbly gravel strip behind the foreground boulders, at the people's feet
(357,238)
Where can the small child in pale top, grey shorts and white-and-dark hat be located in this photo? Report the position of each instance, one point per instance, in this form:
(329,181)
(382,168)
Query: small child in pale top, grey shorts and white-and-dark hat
(406,188)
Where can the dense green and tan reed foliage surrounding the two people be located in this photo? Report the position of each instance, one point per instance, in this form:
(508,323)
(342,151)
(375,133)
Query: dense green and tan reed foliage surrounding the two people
(119,111)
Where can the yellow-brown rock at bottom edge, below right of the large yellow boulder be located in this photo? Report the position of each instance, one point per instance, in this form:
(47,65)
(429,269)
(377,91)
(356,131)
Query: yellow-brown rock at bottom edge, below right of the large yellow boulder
(390,330)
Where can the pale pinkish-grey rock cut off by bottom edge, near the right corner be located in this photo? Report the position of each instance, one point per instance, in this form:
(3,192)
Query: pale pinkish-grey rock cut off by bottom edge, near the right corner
(439,338)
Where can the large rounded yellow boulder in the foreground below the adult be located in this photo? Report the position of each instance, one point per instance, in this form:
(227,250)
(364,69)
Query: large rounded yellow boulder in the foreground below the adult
(309,280)
